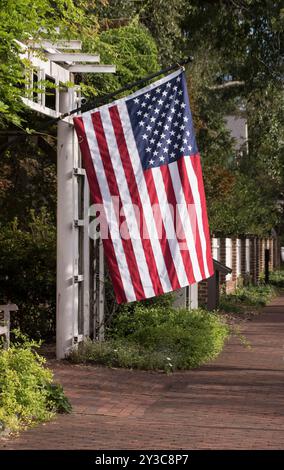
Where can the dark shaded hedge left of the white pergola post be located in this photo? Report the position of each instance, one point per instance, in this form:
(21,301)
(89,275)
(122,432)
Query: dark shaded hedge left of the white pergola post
(28,274)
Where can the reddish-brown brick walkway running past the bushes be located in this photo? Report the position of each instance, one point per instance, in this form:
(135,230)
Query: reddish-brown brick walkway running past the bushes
(235,402)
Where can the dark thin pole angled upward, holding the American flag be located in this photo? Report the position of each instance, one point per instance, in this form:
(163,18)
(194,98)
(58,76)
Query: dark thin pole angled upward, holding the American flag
(104,98)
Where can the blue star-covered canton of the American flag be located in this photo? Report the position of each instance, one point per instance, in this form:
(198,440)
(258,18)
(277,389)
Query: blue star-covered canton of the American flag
(162,123)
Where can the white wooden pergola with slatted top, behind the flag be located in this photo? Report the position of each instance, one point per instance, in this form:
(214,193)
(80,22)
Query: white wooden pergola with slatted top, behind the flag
(80,295)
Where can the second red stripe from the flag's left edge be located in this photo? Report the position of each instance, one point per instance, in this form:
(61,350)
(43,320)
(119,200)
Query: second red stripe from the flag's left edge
(110,179)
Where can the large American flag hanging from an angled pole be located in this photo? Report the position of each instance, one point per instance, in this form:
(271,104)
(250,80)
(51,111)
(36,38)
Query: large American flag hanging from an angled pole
(144,169)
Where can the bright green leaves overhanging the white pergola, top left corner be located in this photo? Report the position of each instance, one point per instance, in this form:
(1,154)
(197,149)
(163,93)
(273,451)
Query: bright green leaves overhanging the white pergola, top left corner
(26,20)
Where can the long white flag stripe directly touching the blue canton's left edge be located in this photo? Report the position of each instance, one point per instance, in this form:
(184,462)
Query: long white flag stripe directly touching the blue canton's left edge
(159,246)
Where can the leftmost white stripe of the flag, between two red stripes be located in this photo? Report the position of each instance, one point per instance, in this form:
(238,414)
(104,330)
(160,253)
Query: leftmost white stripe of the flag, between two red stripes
(110,210)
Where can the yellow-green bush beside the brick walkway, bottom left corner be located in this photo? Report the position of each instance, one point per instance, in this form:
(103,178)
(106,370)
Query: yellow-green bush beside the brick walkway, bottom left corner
(27,392)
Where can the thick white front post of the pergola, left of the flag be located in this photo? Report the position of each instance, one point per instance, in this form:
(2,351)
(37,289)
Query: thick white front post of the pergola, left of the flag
(67,237)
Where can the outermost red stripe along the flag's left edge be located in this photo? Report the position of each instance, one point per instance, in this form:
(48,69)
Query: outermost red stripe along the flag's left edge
(110,252)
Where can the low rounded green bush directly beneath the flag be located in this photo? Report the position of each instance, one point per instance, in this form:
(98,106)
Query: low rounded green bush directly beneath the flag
(158,338)
